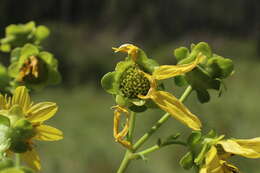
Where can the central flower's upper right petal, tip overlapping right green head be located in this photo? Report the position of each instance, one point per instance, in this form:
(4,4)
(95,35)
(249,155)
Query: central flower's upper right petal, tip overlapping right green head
(168,71)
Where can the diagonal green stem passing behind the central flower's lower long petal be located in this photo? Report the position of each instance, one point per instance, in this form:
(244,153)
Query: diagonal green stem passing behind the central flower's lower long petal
(160,122)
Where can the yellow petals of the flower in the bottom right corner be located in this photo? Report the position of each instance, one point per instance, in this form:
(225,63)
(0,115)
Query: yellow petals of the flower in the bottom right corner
(215,161)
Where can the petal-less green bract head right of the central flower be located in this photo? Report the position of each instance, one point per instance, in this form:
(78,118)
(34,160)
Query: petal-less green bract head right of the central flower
(209,74)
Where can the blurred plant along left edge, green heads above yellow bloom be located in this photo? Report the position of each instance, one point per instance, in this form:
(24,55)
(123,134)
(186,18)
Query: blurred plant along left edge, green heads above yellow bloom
(22,122)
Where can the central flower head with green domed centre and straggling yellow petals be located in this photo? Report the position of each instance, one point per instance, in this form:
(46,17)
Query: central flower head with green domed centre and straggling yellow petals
(134,84)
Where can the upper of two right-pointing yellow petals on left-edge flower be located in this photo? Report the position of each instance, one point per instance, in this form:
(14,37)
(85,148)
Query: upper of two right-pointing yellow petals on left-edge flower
(41,111)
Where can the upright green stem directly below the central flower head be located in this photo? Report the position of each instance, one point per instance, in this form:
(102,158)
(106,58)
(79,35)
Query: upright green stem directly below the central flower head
(128,153)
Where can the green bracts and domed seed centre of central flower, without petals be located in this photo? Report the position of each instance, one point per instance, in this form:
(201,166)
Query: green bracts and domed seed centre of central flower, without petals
(127,81)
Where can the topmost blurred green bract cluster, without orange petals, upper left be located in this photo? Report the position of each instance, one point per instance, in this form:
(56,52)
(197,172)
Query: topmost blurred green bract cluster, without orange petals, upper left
(19,35)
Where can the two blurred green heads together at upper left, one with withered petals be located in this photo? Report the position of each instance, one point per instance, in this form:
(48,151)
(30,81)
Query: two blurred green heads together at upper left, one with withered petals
(29,64)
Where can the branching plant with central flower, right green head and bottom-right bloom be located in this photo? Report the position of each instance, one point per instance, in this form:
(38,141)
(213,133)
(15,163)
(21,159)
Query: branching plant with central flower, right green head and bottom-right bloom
(137,85)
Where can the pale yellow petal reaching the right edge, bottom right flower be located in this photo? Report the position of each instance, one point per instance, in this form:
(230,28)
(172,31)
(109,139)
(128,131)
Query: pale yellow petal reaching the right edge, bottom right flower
(231,146)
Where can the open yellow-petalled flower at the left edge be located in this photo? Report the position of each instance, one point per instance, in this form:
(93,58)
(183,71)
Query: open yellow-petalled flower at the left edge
(20,110)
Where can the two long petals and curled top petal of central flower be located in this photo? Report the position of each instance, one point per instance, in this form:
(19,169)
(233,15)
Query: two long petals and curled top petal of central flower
(165,100)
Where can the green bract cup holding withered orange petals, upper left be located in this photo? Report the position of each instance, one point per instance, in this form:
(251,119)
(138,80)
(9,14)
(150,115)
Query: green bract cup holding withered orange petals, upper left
(33,68)
